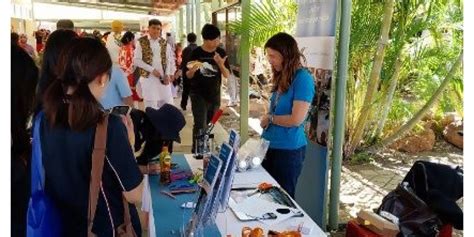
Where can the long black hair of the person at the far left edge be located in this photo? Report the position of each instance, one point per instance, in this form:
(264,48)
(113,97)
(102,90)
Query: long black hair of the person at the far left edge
(23,85)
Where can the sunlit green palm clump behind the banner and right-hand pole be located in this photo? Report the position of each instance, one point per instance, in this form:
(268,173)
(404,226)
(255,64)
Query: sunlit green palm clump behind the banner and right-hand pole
(415,57)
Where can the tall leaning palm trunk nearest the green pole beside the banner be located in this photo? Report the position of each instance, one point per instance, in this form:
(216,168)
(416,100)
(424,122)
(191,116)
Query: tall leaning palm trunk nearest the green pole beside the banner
(373,80)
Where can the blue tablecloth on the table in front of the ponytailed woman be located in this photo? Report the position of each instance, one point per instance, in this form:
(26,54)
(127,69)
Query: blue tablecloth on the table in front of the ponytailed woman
(167,212)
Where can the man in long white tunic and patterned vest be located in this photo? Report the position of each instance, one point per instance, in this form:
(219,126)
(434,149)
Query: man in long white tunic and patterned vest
(155,60)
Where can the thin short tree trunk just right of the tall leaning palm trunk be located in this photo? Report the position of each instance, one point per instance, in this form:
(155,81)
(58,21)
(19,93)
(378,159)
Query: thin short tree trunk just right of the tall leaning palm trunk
(387,105)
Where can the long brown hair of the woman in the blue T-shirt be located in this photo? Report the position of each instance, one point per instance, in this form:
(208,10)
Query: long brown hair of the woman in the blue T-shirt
(286,45)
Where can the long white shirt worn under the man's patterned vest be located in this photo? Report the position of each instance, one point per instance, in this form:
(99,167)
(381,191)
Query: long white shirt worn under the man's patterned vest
(151,87)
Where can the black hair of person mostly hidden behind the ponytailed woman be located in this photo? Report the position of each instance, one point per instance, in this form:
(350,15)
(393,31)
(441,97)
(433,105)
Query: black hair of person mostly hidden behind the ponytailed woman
(56,42)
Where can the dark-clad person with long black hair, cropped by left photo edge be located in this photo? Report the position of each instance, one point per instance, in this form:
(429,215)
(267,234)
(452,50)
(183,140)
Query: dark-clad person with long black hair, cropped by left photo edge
(23,84)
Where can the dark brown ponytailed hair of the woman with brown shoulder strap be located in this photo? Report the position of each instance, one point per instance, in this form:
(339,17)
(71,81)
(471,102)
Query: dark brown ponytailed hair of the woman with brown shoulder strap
(79,64)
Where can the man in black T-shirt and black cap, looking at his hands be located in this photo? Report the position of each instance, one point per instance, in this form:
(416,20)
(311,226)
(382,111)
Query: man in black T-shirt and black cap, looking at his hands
(206,77)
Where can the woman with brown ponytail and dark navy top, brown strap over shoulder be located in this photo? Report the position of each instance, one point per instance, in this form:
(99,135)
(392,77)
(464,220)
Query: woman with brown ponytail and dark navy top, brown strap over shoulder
(71,114)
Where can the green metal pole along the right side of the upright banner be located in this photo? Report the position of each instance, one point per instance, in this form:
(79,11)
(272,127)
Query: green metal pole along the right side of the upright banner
(338,141)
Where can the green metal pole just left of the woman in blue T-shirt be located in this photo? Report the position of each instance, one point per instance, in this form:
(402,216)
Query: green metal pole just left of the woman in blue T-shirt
(244,72)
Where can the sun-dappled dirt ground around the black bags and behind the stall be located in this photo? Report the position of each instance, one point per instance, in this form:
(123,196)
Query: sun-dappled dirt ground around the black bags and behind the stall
(363,186)
